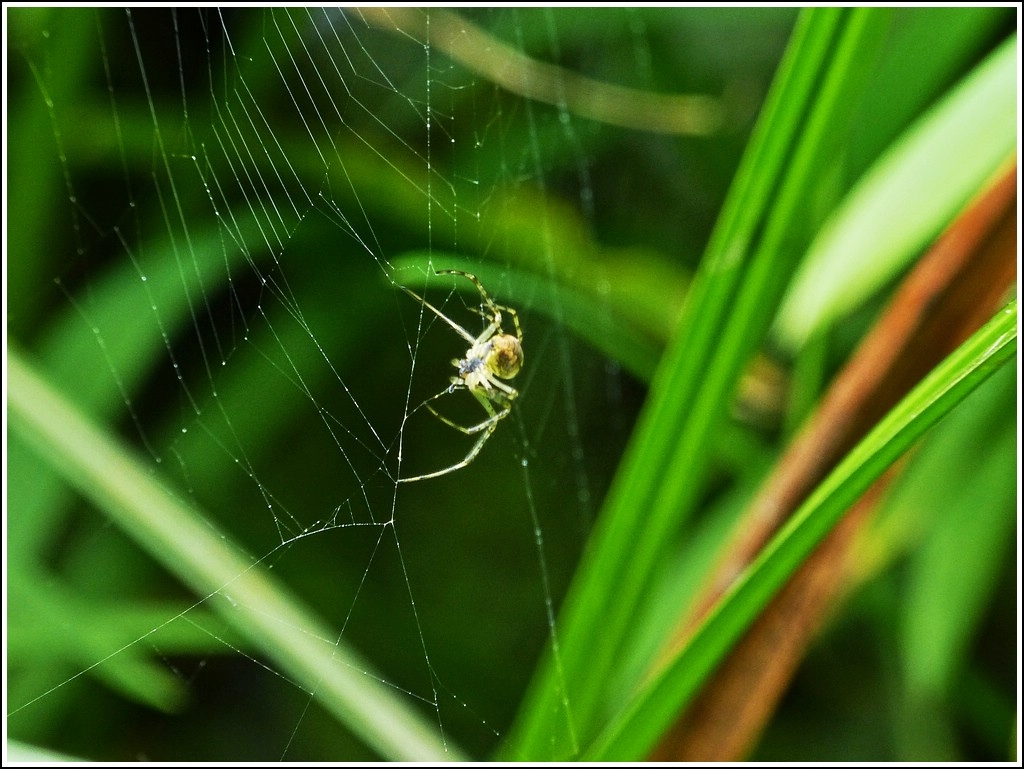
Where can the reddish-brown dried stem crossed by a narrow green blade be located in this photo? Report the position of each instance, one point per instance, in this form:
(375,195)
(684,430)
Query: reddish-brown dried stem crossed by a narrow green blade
(948,296)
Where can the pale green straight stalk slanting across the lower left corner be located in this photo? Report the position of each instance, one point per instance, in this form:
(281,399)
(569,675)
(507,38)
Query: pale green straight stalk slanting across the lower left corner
(188,545)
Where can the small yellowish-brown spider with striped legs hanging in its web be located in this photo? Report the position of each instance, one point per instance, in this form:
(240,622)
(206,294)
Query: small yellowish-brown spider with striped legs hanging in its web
(492,357)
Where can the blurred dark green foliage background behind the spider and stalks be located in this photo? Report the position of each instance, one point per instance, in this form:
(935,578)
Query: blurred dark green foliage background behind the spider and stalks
(207,216)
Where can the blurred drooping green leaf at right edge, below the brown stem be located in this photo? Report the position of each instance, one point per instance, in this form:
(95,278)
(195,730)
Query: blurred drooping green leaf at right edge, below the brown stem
(953,576)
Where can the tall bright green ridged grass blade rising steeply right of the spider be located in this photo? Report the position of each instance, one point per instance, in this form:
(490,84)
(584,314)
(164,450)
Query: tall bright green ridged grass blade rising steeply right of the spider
(740,284)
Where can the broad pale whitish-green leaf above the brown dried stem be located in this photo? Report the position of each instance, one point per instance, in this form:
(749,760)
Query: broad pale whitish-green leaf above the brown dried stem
(945,158)
